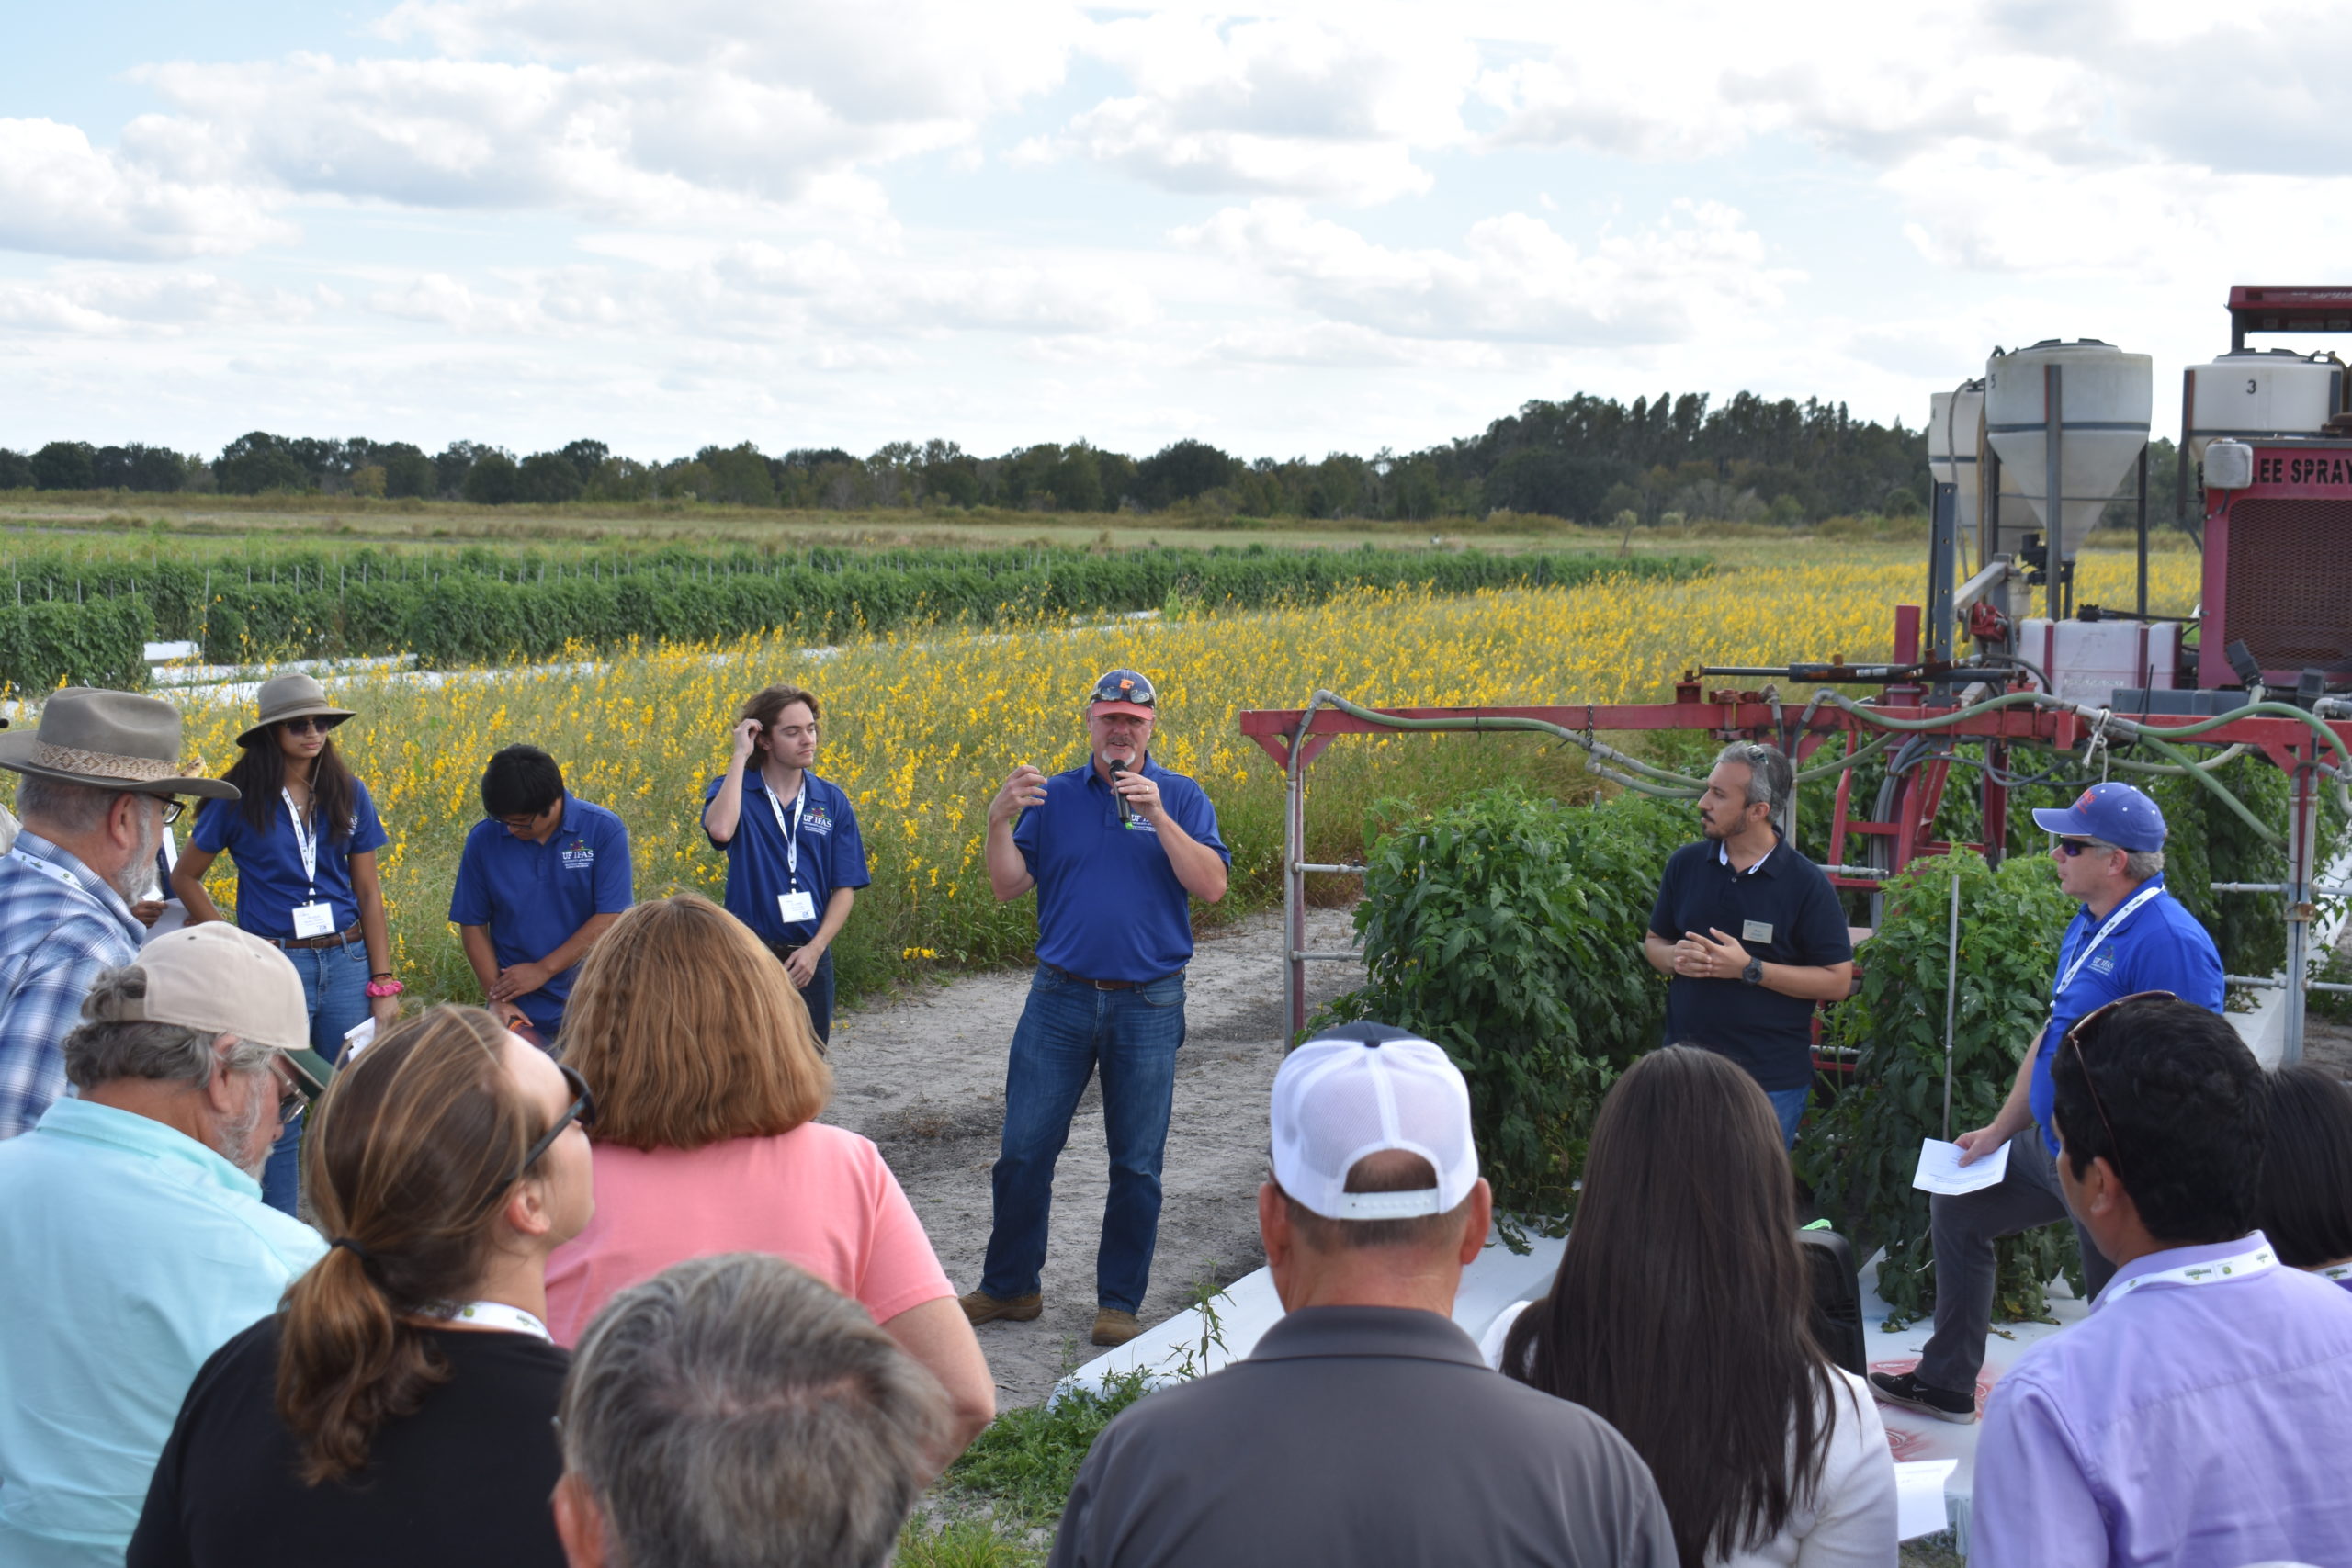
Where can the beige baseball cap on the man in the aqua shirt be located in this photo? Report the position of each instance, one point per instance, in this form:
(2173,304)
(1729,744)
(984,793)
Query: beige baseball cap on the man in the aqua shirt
(227,981)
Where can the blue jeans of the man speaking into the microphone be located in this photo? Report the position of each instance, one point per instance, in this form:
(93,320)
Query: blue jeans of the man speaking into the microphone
(1067,1033)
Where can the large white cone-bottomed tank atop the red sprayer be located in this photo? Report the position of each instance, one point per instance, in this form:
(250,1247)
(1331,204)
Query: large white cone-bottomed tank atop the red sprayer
(2104,406)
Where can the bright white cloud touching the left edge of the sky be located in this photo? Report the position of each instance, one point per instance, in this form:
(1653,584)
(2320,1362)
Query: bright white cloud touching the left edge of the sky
(69,199)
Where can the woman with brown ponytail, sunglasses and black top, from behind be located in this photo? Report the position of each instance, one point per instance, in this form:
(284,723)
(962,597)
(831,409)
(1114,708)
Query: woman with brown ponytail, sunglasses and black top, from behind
(399,1407)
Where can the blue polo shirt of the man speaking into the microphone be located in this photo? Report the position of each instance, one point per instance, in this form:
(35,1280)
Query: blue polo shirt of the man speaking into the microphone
(1109,904)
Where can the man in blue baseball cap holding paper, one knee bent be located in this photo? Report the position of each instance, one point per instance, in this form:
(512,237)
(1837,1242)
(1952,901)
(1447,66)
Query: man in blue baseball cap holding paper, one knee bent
(2127,937)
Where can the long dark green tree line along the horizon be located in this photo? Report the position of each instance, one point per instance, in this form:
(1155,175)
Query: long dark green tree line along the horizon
(1586,460)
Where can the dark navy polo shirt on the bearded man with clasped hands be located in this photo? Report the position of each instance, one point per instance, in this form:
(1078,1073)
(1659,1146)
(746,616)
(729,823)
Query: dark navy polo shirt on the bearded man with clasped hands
(1782,911)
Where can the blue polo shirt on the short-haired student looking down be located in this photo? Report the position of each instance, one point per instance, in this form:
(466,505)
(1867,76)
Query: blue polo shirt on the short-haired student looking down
(535,897)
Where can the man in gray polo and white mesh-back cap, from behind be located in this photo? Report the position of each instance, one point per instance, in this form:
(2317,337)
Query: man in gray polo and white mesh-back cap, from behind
(1365,1430)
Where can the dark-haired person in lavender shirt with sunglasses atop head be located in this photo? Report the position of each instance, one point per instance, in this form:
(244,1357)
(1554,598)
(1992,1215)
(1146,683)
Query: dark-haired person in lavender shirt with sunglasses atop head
(2203,1414)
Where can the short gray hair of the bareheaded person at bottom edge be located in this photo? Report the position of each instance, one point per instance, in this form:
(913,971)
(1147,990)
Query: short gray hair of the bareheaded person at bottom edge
(737,1414)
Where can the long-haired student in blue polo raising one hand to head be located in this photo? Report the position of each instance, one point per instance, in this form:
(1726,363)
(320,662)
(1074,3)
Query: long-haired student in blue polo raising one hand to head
(791,843)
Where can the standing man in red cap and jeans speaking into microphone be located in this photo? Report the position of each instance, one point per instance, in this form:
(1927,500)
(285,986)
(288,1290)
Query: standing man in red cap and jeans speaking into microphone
(1116,847)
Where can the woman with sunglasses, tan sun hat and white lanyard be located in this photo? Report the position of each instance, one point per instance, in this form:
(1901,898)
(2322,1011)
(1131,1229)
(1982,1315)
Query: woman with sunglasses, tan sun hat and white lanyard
(305,836)
